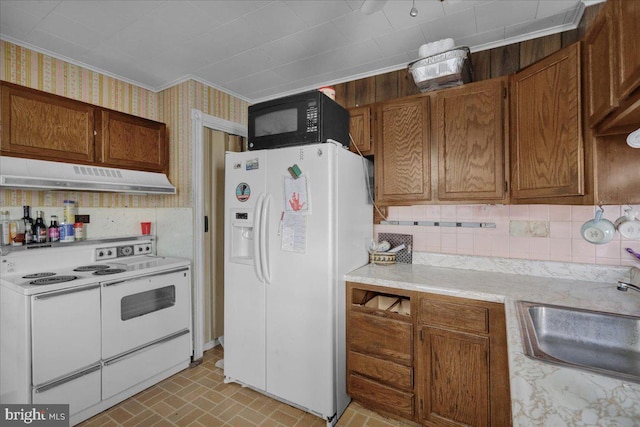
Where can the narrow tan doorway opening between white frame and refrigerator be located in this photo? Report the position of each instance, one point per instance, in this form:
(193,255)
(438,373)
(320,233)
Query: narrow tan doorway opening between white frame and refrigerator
(215,144)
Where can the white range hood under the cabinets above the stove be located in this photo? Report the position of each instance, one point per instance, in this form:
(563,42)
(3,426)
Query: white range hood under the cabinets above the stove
(16,172)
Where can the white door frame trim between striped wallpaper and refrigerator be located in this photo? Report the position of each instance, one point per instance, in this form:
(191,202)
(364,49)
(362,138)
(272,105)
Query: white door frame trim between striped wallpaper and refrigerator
(199,121)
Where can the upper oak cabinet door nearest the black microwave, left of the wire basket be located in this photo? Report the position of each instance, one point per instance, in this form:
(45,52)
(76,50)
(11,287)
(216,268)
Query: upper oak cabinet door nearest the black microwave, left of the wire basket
(403,152)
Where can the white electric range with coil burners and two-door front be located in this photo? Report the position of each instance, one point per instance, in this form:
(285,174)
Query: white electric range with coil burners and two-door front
(92,323)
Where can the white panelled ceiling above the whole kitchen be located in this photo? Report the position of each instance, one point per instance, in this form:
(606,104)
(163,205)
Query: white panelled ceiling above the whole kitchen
(257,50)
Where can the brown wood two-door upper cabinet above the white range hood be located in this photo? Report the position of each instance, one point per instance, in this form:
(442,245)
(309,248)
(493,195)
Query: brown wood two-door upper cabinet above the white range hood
(44,126)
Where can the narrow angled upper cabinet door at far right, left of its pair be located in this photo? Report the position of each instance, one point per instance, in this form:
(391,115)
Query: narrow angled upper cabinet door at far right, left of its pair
(600,62)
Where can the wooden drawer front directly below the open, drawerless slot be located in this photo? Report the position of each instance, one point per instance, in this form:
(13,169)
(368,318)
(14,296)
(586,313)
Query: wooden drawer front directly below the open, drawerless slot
(391,339)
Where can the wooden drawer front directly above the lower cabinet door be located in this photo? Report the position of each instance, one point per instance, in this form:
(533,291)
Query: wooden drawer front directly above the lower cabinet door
(452,315)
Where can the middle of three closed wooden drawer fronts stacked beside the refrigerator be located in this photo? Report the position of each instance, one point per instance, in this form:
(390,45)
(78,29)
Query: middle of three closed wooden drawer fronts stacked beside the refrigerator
(383,371)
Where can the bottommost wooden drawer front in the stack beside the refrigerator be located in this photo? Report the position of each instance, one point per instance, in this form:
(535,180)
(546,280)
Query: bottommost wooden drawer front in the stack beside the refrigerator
(382,397)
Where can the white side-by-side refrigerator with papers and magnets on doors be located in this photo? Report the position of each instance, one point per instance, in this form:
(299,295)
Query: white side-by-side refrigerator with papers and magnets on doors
(297,219)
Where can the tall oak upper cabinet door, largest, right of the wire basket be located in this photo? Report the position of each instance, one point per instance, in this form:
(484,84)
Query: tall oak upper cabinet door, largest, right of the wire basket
(547,152)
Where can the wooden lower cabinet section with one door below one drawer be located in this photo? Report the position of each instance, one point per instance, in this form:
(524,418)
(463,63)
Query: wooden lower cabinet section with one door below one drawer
(462,362)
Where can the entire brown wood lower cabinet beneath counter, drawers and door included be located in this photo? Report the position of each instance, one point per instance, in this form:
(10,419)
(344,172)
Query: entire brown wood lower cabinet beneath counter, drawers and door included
(456,373)
